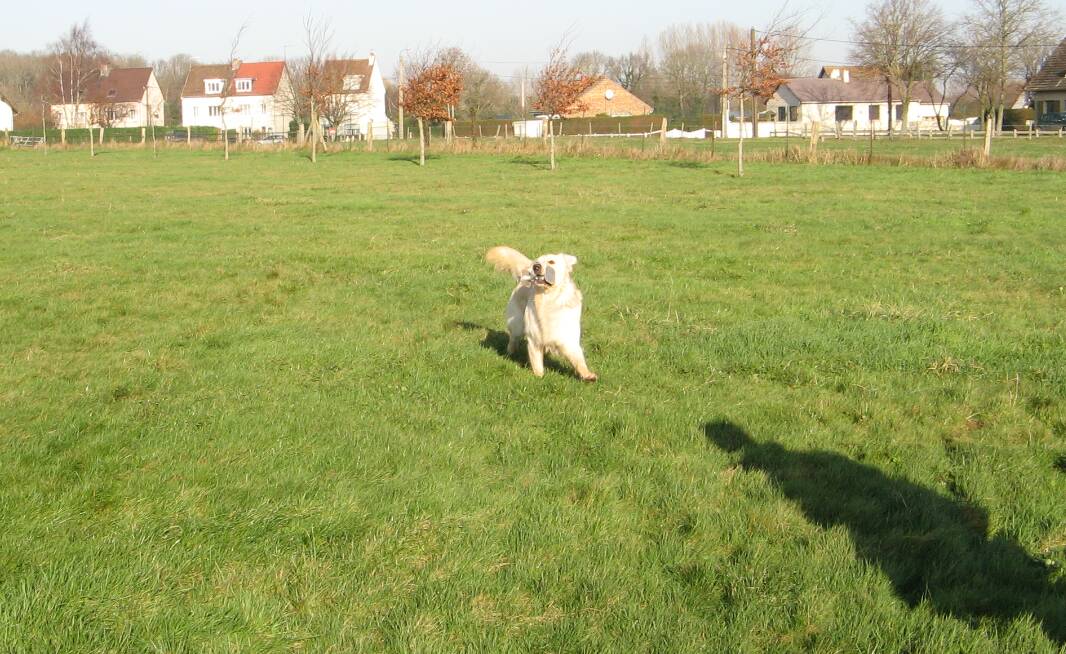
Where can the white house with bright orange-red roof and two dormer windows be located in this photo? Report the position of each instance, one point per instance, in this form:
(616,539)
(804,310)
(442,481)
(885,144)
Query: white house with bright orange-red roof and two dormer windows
(259,97)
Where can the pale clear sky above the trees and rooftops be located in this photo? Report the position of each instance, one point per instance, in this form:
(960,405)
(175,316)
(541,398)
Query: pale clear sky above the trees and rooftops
(511,34)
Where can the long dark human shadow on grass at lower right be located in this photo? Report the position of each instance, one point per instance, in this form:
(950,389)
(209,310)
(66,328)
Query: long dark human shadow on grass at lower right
(933,549)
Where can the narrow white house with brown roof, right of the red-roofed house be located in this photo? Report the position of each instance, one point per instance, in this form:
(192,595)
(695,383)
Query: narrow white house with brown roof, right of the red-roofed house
(360,97)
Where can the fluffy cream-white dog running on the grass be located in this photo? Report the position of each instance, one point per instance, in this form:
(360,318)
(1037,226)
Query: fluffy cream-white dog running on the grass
(545,308)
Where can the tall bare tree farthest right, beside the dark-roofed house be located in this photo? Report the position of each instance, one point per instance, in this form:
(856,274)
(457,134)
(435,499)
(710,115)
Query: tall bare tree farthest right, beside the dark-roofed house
(1005,39)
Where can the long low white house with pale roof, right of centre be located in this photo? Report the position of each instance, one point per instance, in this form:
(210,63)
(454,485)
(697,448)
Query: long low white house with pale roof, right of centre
(841,96)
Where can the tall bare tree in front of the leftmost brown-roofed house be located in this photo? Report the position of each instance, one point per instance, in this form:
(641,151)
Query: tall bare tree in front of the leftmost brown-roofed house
(75,58)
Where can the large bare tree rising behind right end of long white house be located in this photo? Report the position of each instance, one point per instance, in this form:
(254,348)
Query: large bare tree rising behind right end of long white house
(905,42)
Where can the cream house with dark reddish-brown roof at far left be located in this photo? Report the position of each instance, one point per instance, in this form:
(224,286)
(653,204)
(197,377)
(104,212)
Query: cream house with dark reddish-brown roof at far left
(115,97)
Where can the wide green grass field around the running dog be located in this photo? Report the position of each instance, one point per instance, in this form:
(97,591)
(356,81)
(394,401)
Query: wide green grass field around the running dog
(262,406)
